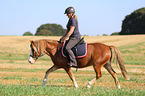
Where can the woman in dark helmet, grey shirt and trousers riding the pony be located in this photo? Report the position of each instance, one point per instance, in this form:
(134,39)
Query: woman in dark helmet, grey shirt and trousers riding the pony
(72,33)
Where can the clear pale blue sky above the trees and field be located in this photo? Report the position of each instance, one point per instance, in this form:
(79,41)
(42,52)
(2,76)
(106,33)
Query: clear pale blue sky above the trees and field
(95,17)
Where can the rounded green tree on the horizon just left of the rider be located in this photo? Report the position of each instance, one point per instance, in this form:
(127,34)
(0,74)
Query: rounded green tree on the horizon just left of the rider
(50,30)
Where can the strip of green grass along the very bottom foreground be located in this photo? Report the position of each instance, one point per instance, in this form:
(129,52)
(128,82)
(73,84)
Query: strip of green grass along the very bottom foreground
(25,90)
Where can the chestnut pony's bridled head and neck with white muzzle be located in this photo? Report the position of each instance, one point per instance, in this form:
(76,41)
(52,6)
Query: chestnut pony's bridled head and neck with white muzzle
(40,48)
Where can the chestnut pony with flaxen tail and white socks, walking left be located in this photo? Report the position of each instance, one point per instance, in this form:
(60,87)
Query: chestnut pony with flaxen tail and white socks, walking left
(98,55)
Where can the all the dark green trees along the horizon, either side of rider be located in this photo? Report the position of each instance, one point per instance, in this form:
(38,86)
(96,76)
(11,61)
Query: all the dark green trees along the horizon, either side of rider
(132,24)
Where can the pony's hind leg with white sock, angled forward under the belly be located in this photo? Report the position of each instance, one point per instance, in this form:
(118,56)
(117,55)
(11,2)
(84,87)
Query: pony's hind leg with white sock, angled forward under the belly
(98,75)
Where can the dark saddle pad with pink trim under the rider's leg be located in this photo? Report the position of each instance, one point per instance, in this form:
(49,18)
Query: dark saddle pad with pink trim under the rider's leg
(81,50)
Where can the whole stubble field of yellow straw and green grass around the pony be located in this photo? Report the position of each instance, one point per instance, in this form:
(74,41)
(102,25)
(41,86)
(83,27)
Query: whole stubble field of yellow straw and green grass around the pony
(18,77)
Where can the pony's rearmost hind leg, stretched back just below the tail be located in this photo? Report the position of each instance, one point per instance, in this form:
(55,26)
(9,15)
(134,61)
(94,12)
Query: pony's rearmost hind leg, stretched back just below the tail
(108,67)
